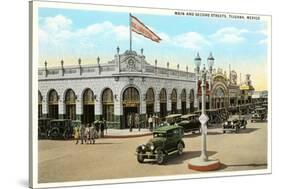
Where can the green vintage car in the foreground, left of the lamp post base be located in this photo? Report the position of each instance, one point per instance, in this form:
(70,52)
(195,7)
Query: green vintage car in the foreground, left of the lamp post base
(166,140)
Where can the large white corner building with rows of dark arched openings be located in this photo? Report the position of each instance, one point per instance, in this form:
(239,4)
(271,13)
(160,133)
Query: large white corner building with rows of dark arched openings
(112,90)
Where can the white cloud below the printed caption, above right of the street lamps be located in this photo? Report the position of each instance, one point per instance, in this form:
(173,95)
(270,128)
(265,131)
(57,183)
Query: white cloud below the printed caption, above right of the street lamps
(230,35)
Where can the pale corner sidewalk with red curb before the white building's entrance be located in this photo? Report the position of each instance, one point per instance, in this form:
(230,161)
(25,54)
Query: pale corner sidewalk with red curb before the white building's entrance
(125,133)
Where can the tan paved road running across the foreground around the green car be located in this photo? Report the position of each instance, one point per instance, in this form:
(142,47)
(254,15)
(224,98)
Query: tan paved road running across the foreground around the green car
(114,158)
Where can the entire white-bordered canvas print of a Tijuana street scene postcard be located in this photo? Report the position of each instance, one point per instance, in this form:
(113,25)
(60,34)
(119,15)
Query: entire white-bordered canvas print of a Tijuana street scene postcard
(128,94)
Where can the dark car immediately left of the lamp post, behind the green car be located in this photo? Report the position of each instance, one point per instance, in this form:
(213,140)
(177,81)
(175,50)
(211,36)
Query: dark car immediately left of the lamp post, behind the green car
(190,123)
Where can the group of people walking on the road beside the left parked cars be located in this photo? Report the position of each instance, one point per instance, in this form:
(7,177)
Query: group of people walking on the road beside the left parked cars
(87,133)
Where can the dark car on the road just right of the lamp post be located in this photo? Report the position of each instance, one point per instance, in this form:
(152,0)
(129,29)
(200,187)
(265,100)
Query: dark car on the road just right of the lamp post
(234,123)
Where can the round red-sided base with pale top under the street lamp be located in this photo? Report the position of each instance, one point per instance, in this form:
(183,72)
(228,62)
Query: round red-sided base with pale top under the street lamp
(198,164)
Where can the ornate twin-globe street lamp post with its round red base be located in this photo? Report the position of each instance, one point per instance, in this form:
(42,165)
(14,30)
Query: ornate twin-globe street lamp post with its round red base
(203,163)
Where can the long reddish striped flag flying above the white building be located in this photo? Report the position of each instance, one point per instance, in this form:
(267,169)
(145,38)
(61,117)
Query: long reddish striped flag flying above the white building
(138,27)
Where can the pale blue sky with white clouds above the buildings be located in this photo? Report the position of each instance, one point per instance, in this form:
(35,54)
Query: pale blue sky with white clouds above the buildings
(70,34)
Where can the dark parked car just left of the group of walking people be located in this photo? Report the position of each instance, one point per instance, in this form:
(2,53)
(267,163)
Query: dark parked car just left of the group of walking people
(61,129)
